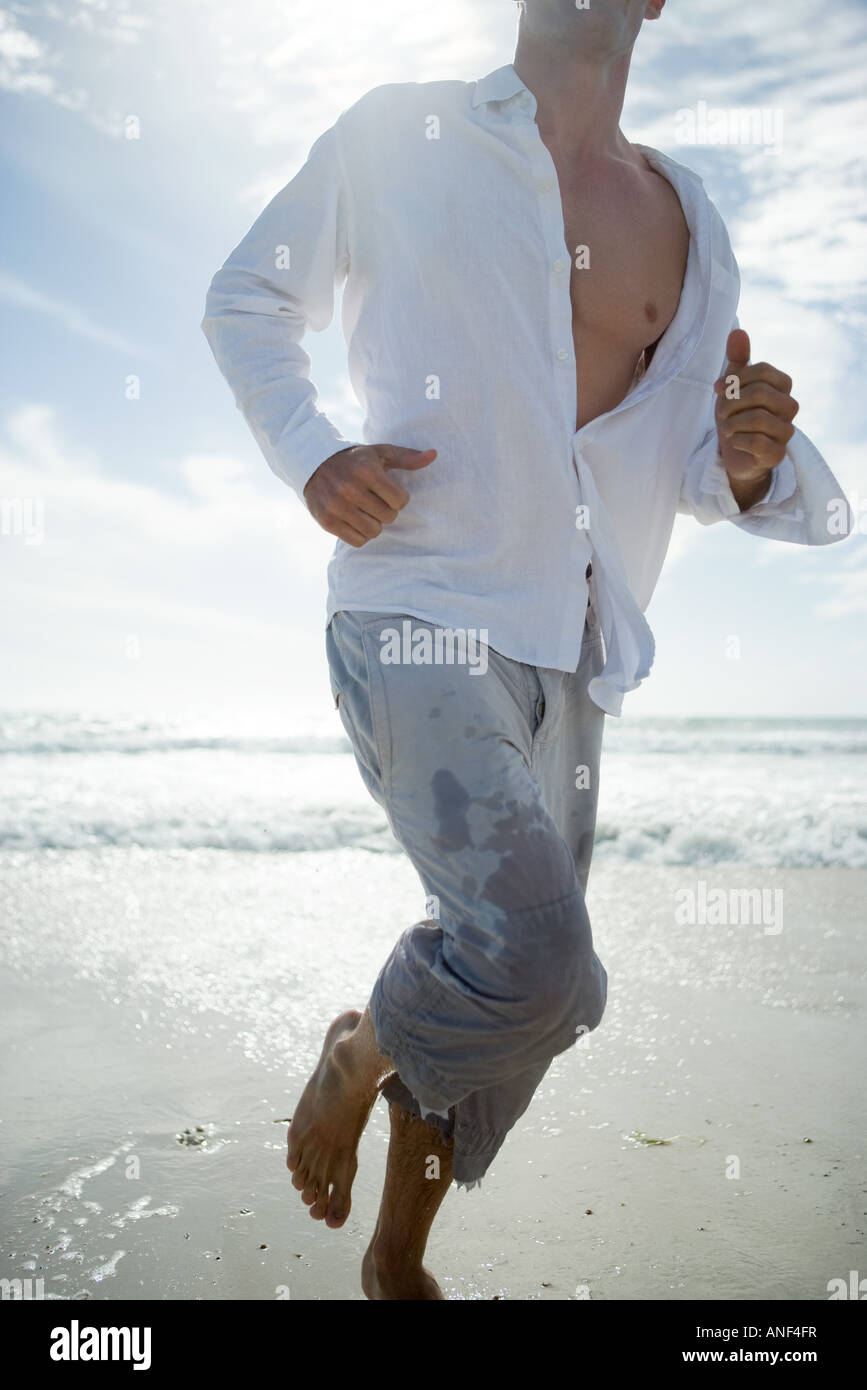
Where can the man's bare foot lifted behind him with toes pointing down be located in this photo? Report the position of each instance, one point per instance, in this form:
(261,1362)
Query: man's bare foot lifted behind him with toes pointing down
(331,1115)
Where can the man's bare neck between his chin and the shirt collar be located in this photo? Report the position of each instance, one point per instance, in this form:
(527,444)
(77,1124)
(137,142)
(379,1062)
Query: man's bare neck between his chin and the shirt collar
(579,101)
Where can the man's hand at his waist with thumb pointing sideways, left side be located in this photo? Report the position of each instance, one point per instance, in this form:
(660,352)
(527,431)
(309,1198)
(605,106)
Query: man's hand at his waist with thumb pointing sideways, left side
(352,496)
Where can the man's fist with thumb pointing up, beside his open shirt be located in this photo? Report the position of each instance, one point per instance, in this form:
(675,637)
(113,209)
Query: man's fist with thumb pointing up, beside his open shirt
(755,412)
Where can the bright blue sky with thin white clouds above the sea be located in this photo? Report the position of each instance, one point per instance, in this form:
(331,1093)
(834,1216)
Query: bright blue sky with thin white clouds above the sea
(149,559)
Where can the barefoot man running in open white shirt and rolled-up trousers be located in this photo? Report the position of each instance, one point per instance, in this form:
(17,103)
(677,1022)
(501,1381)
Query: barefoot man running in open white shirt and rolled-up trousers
(541,325)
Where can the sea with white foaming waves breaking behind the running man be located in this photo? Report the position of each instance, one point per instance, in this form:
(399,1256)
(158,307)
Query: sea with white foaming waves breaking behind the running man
(786,793)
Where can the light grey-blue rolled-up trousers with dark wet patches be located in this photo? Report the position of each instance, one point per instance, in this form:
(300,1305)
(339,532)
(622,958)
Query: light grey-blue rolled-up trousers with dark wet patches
(490,782)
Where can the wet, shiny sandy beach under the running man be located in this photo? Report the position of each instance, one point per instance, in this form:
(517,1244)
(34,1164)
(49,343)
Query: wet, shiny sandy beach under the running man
(163,1010)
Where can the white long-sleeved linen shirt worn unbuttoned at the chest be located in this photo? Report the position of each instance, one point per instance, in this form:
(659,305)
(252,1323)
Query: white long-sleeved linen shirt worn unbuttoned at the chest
(438,205)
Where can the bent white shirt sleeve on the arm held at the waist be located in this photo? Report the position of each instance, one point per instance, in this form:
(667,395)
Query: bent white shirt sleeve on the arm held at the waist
(276,286)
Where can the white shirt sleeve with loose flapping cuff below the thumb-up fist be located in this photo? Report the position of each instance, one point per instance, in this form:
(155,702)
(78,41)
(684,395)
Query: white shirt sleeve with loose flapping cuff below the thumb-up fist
(805,502)
